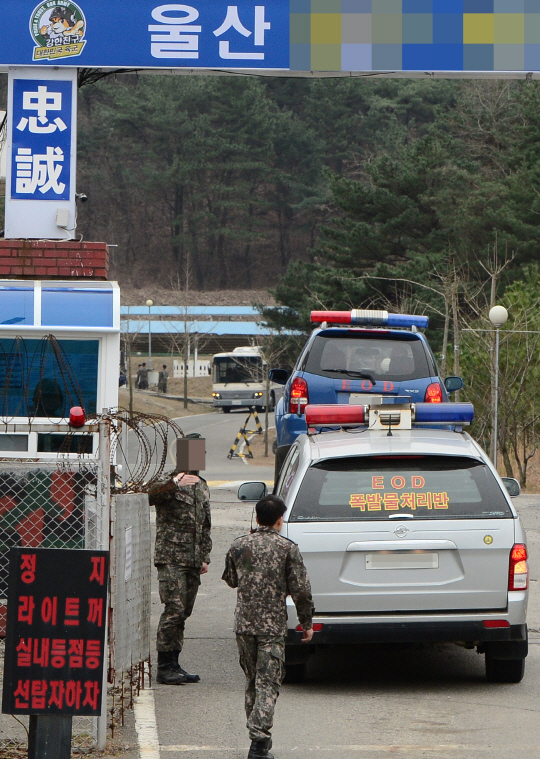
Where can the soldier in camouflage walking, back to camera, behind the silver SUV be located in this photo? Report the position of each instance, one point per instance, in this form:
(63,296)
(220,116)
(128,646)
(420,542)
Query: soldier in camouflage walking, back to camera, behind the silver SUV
(266,567)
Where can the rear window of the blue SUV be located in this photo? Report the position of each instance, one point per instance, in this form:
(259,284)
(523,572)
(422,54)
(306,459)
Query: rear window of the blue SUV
(382,357)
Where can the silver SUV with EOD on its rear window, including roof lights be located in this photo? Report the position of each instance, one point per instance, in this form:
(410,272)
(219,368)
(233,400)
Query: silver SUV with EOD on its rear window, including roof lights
(408,534)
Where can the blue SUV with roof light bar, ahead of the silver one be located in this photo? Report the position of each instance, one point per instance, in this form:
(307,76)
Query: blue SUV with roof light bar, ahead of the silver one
(352,357)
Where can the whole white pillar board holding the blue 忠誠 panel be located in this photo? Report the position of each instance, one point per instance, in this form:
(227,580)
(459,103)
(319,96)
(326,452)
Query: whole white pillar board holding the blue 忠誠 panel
(40,182)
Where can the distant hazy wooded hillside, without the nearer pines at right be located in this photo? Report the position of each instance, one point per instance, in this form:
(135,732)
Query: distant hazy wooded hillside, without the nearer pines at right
(232,176)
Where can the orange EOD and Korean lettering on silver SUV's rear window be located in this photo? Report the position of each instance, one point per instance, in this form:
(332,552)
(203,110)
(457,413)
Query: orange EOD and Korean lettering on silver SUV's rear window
(393,500)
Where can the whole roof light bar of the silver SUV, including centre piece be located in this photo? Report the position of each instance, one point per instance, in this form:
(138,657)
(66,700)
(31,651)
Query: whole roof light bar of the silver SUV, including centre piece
(419,414)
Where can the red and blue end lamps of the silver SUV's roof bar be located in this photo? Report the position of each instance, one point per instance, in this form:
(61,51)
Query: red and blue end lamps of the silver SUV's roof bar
(422,414)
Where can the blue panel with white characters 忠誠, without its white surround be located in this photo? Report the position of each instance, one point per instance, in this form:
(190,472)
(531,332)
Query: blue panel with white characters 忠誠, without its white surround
(41,139)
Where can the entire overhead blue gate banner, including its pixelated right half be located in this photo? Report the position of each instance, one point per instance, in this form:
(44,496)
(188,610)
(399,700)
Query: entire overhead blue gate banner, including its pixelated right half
(299,35)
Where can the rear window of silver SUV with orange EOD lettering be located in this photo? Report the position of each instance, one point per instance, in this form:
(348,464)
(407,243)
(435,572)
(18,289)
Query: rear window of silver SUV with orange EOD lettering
(379,487)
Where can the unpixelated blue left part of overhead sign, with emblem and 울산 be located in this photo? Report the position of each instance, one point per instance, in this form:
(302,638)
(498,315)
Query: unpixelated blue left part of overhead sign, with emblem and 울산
(145,34)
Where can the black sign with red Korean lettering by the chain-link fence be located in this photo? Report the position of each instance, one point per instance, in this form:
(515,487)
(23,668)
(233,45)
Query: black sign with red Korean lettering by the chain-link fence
(57,612)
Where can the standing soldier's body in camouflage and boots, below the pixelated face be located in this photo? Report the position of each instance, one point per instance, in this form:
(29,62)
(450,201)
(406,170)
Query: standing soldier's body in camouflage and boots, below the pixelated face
(182,554)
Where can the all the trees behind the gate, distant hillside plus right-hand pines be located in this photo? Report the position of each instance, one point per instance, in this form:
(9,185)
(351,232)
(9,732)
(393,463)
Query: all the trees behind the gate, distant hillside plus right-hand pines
(411,195)
